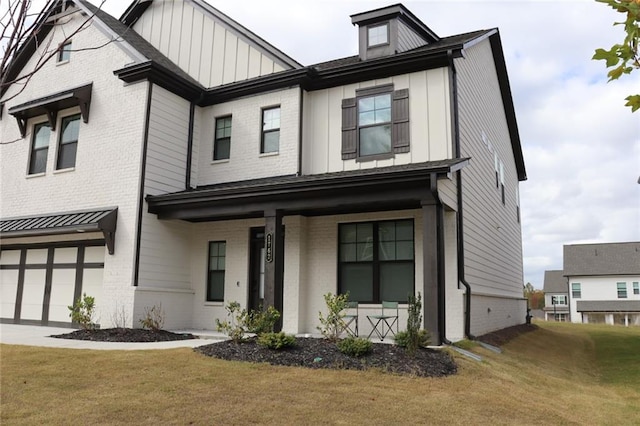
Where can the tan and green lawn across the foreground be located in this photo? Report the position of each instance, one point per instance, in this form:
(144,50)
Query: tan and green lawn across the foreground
(559,374)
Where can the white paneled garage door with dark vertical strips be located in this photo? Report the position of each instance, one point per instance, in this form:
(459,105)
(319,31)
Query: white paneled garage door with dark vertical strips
(39,282)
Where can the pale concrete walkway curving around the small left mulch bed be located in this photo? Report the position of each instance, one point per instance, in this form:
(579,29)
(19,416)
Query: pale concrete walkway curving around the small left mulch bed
(14,334)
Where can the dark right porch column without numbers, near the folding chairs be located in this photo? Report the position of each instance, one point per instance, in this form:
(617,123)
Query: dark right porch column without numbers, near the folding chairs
(430,270)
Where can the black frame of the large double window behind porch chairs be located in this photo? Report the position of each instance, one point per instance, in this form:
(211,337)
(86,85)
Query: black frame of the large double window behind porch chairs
(376,262)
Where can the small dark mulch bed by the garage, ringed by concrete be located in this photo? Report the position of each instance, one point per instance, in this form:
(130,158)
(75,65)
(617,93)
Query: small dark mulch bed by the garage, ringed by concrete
(125,335)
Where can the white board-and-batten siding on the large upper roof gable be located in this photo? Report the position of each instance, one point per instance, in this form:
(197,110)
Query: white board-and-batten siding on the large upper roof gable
(207,49)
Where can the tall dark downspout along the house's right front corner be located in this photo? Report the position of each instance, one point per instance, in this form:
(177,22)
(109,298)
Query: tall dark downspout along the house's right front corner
(456,137)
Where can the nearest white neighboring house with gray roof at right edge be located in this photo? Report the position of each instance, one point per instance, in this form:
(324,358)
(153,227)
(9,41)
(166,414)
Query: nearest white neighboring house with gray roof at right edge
(603,282)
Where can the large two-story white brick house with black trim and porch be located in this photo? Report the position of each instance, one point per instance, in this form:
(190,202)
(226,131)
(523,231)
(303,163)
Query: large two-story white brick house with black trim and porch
(189,163)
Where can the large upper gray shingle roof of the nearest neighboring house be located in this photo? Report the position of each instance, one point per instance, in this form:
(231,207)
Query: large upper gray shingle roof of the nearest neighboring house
(602,259)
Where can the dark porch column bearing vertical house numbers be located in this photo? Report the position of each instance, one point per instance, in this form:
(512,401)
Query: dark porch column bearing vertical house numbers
(274,261)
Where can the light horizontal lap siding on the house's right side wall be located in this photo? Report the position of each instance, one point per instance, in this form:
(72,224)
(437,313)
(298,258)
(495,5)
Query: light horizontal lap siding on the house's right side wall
(493,236)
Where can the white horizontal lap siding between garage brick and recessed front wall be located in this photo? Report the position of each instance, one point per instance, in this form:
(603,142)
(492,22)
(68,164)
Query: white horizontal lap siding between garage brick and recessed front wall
(164,248)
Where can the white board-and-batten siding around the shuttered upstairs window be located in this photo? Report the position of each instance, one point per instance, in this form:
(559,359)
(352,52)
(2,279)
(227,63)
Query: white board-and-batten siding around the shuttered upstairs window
(430,121)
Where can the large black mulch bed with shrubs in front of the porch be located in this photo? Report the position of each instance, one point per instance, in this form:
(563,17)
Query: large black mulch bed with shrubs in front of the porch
(321,353)
